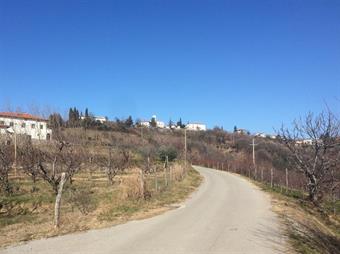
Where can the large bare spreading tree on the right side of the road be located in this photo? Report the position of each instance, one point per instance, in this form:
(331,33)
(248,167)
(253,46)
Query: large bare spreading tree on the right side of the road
(313,143)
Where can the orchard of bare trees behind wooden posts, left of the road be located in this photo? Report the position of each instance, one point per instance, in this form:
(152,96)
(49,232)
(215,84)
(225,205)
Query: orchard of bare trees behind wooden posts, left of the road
(76,161)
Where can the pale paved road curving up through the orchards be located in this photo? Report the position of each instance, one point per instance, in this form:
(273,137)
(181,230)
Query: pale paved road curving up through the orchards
(226,215)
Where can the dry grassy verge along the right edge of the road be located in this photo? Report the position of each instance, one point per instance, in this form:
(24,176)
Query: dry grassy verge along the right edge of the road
(311,230)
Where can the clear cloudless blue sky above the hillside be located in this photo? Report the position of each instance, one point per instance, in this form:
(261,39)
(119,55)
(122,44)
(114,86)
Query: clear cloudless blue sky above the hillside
(254,64)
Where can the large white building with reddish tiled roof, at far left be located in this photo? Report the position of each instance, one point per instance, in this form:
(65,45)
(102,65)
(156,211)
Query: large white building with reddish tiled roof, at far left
(24,124)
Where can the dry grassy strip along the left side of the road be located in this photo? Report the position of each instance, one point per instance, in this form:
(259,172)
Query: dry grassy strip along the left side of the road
(90,202)
